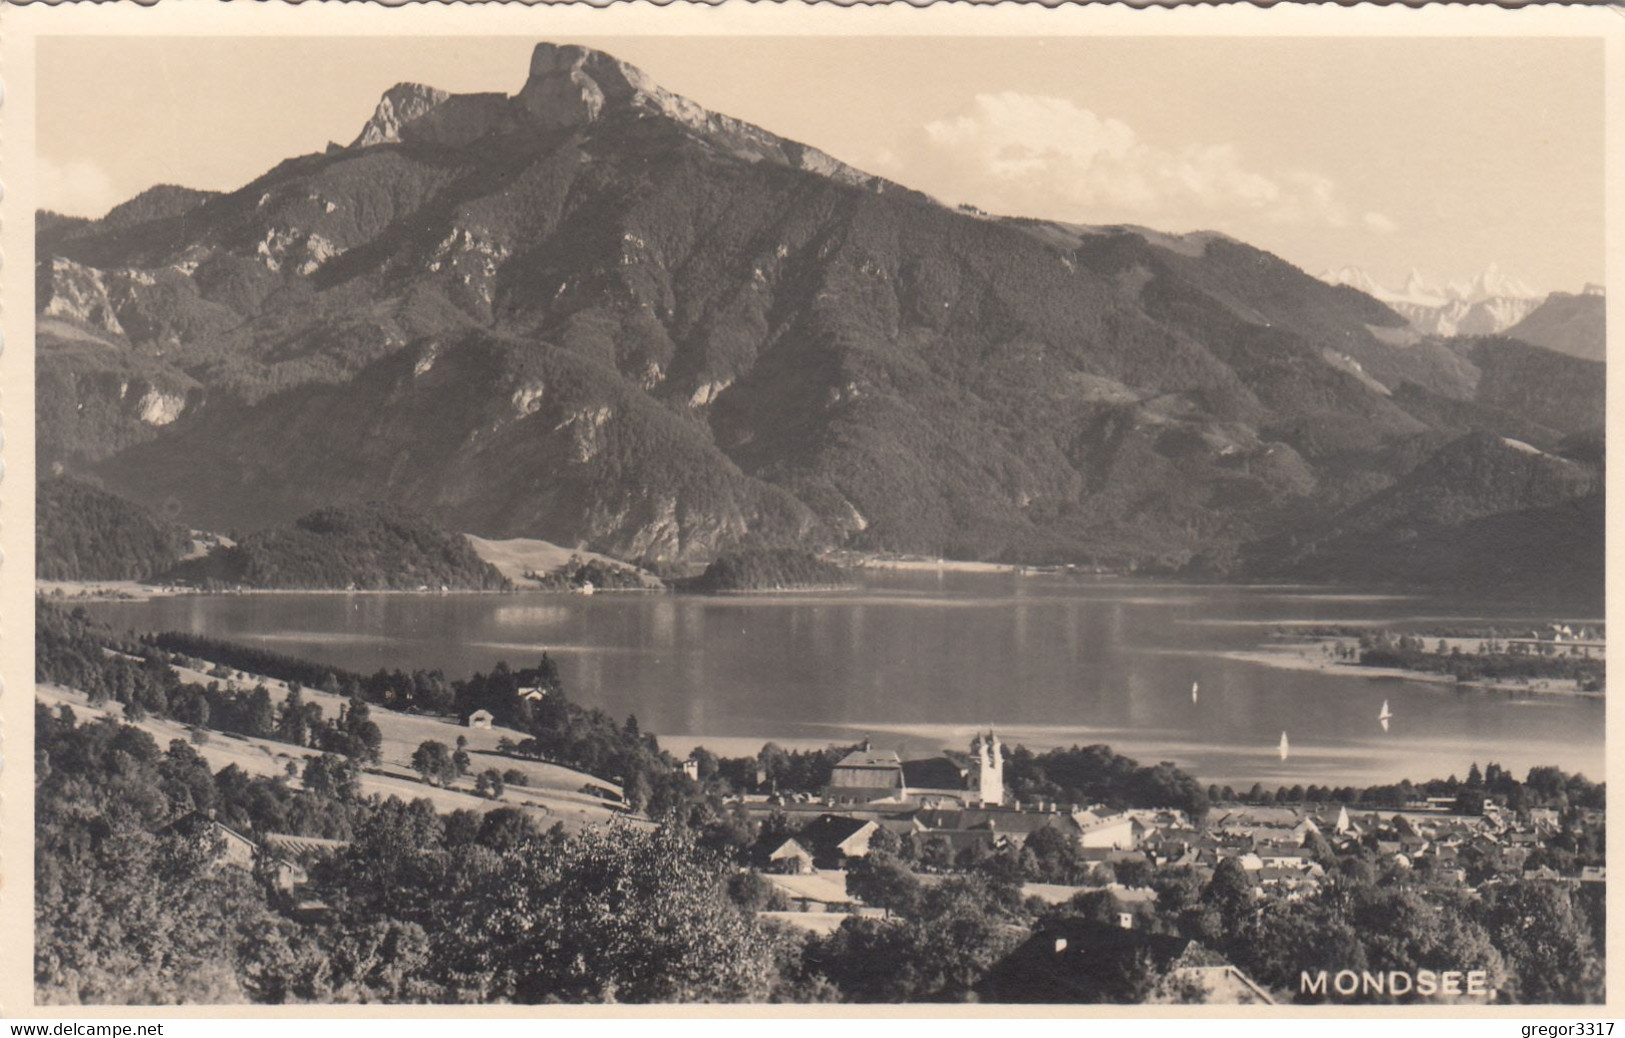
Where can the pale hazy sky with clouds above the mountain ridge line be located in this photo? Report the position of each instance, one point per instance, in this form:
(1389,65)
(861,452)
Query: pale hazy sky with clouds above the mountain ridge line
(1390,155)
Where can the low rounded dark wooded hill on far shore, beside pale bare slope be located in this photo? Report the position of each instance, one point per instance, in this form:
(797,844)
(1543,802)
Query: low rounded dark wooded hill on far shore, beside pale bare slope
(365,548)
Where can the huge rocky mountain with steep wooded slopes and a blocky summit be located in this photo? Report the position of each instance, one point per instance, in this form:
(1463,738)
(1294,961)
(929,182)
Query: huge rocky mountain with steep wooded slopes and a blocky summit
(597,314)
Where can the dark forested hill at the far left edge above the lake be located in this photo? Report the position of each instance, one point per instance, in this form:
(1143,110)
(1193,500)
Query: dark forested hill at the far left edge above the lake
(87,534)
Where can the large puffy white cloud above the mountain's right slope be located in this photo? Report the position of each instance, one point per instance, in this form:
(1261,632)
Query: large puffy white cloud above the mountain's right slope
(1026,154)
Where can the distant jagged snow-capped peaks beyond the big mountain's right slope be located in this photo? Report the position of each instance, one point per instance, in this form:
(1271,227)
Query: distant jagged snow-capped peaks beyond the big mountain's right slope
(1484,305)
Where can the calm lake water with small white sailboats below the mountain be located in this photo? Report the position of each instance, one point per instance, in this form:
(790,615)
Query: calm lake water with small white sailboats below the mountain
(921,660)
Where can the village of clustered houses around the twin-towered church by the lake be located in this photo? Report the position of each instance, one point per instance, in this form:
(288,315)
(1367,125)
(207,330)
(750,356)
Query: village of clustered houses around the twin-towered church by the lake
(947,815)
